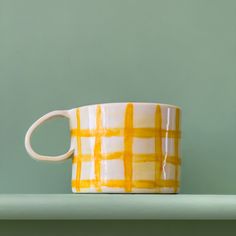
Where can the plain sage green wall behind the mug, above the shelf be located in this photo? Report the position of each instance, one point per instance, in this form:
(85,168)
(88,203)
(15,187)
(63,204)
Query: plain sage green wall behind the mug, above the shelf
(63,54)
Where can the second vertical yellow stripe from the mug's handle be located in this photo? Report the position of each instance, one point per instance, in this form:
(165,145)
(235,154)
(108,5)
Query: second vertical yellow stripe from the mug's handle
(97,148)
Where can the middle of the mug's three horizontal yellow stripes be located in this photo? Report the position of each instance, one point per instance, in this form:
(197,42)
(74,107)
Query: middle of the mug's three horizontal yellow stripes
(136,158)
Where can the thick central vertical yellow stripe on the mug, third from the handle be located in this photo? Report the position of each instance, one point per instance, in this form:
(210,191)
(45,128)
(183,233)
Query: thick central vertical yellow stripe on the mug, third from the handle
(128,143)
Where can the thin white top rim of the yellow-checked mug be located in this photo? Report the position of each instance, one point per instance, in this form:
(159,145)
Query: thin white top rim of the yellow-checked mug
(135,103)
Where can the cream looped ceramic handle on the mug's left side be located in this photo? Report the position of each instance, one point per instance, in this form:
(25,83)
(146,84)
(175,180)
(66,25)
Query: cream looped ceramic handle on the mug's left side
(30,131)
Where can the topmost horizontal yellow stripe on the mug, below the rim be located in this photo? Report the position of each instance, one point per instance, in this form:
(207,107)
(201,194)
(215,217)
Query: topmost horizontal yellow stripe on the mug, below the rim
(135,132)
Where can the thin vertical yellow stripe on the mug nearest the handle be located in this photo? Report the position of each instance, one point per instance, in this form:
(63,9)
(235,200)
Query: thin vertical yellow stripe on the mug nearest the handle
(79,155)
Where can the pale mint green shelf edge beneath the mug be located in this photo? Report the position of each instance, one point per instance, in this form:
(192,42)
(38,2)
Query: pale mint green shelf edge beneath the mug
(116,206)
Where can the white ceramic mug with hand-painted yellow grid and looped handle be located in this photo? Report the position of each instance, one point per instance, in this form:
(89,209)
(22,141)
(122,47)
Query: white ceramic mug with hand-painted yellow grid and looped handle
(121,147)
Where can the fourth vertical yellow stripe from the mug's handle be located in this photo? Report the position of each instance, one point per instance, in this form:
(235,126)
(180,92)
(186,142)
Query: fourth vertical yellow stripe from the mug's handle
(158,146)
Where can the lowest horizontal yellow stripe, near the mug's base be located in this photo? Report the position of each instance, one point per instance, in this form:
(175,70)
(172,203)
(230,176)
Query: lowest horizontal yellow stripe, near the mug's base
(121,183)
